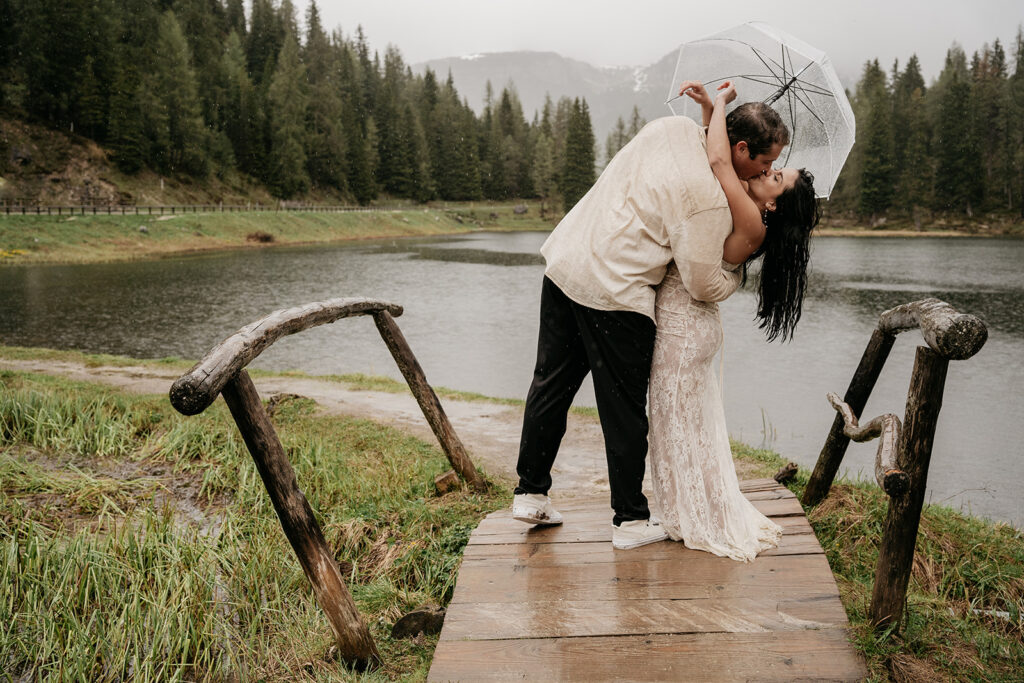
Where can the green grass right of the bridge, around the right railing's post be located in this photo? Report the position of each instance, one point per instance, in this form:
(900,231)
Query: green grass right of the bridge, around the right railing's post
(967,573)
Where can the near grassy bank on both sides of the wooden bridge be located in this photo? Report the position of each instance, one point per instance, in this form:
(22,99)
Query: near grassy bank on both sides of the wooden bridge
(141,544)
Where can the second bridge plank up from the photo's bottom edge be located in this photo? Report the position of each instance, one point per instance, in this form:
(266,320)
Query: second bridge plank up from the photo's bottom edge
(563,619)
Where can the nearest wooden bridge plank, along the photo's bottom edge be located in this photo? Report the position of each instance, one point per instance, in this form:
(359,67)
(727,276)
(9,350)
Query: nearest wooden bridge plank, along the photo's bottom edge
(714,657)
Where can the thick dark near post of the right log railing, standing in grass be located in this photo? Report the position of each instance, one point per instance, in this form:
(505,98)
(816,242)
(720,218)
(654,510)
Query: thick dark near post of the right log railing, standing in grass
(901,532)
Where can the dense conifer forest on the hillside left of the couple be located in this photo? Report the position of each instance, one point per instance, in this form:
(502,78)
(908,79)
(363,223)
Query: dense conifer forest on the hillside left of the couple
(201,88)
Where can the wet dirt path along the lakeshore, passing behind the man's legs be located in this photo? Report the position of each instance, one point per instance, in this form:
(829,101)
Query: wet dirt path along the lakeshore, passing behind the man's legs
(490,432)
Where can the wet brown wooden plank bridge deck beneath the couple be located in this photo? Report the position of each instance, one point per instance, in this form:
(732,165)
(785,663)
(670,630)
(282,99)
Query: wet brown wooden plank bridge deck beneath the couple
(562,605)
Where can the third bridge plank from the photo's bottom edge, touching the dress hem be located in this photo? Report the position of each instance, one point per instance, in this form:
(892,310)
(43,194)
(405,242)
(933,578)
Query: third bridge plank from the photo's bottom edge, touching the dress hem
(703,576)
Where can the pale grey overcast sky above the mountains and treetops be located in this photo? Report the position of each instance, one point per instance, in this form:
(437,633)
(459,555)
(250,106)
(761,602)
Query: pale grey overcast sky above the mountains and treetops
(641,32)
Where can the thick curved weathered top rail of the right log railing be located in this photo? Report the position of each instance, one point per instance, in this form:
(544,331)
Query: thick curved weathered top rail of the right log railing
(952,335)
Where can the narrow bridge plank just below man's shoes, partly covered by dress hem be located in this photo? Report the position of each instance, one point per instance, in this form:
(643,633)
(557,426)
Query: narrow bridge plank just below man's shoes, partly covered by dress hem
(548,554)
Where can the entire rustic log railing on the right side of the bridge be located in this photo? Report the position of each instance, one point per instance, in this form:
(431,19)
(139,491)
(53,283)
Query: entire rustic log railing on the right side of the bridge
(905,451)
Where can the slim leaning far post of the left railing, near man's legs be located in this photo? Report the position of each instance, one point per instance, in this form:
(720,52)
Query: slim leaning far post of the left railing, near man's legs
(428,400)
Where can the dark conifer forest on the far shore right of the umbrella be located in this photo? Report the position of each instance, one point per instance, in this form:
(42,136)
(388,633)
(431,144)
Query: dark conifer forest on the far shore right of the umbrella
(955,147)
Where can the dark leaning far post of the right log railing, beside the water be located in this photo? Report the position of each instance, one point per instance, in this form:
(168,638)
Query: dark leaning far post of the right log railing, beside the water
(857,397)
